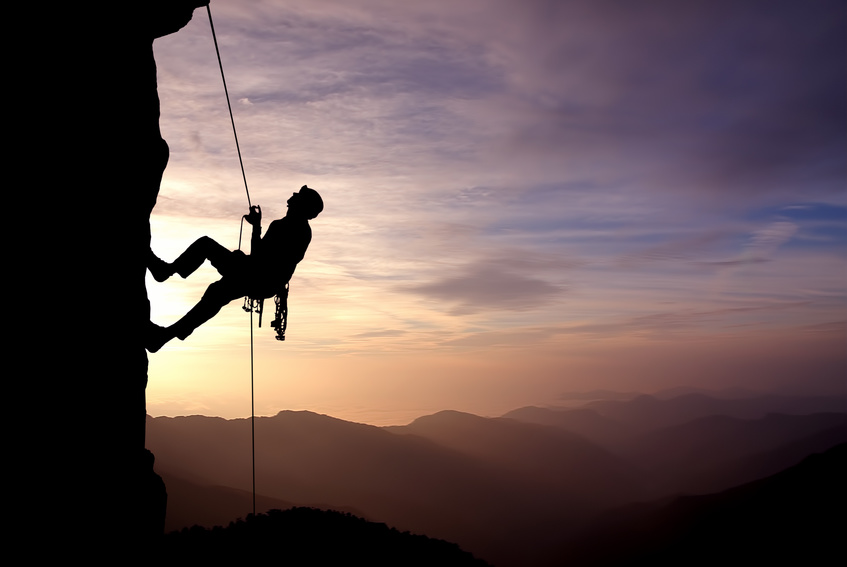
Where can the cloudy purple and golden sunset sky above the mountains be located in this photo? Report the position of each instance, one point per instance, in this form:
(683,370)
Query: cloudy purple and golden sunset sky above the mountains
(522,200)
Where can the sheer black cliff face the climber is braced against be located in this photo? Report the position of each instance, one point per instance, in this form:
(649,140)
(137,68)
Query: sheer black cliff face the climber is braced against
(92,157)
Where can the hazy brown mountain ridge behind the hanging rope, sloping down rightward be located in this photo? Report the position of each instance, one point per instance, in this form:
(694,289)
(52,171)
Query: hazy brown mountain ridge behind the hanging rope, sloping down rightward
(407,481)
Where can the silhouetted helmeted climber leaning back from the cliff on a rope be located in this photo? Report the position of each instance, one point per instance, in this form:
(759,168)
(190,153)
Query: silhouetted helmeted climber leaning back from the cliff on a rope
(262,274)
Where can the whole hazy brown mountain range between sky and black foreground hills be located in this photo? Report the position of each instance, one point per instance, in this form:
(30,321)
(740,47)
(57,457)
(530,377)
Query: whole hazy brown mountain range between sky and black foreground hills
(509,491)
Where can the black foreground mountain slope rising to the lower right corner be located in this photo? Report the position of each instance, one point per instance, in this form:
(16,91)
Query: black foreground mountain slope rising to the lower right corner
(795,517)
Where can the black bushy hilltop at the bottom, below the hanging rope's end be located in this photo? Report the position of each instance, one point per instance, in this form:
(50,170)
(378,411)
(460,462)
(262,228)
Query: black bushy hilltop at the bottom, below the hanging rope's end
(308,536)
